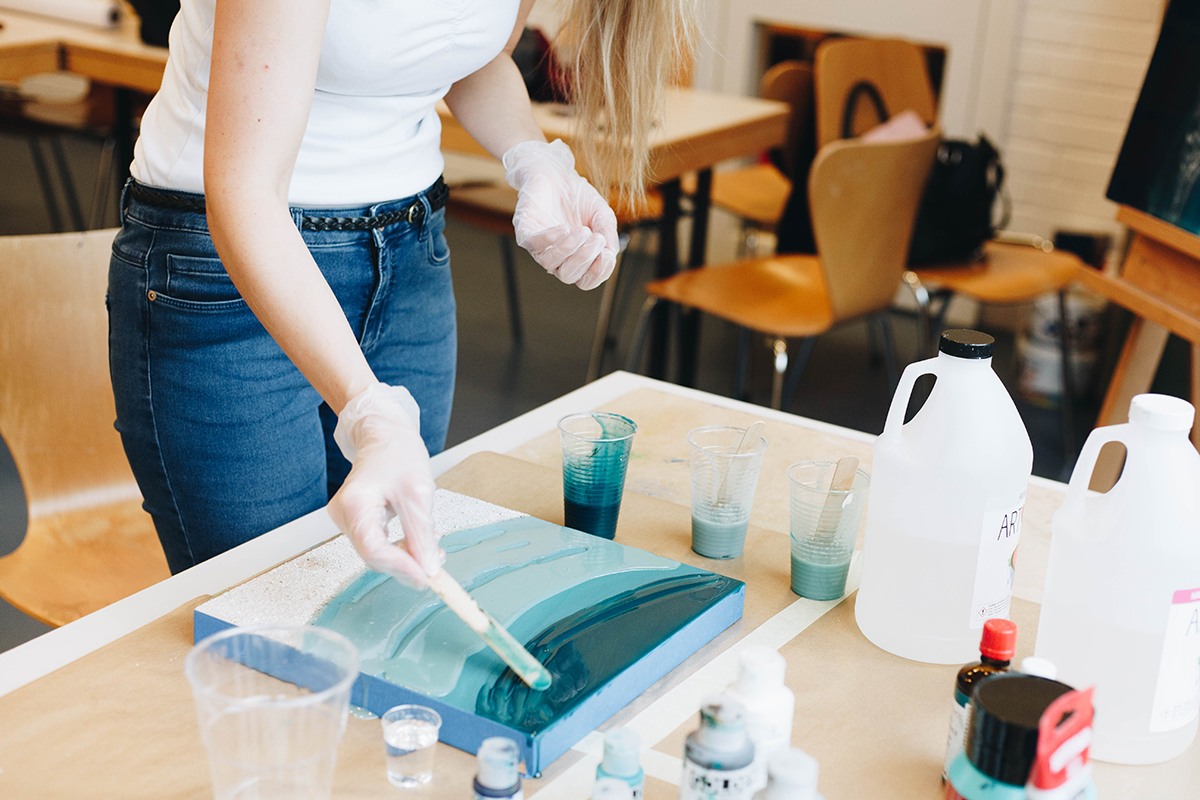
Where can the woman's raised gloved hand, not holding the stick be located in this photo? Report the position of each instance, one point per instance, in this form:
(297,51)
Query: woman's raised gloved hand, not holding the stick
(561,219)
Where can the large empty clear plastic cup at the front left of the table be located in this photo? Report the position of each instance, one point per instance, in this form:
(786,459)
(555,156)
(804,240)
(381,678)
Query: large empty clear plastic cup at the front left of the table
(273,737)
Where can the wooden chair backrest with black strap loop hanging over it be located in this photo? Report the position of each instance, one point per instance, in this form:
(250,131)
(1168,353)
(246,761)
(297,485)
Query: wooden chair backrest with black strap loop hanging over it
(896,68)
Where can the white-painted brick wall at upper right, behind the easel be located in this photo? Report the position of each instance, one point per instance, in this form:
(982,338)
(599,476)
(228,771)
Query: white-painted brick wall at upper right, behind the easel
(1079,68)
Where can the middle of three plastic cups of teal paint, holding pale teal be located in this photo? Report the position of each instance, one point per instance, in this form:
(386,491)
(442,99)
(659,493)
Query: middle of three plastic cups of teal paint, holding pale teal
(723,486)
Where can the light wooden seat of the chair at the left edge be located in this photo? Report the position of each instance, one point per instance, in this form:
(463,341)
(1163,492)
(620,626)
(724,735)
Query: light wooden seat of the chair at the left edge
(77,562)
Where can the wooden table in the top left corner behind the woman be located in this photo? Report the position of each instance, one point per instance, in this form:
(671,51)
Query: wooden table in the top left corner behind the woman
(31,45)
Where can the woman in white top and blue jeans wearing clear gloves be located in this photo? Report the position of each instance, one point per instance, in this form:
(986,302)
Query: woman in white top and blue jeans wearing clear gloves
(280,298)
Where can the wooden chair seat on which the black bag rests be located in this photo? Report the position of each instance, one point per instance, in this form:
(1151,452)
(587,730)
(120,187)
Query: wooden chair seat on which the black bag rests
(1007,274)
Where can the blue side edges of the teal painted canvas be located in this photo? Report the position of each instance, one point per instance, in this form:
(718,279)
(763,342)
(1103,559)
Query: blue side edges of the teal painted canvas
(467,731)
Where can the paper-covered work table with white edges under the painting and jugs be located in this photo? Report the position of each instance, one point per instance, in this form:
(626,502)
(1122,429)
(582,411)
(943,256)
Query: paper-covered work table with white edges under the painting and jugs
(875,723)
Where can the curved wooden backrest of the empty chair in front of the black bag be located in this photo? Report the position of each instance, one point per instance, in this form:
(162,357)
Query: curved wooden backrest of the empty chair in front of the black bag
(865,200)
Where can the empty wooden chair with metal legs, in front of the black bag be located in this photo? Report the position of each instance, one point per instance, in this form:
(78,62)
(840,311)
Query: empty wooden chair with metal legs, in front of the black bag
(865,202)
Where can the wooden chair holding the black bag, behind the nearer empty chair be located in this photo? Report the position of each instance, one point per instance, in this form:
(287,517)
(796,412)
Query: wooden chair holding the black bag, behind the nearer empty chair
(1007,274)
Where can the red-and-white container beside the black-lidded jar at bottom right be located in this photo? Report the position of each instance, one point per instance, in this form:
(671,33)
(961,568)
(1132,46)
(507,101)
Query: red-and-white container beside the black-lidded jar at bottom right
(1063,771)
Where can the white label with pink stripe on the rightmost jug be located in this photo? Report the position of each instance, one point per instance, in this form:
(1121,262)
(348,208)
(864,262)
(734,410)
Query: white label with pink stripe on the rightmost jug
(1178,693)
